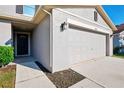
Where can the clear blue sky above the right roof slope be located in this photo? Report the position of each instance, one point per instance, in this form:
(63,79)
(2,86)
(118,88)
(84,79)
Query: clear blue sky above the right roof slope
(115,12)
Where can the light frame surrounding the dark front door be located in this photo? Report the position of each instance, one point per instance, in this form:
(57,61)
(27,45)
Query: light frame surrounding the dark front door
(27,33)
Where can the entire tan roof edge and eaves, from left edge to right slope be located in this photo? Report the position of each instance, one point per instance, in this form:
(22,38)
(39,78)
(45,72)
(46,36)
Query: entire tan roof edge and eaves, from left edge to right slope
(40,14)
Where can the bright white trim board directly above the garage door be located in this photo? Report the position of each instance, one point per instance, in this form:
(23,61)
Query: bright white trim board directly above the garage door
(86,26)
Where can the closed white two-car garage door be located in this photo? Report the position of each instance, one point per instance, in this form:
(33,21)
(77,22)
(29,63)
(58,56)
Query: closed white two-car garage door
(85,45)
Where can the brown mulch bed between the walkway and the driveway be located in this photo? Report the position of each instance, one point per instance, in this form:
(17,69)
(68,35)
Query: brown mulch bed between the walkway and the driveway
(62,79)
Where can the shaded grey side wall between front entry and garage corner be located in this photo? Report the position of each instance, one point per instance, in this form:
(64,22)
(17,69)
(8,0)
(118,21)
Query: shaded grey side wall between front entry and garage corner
(41,43)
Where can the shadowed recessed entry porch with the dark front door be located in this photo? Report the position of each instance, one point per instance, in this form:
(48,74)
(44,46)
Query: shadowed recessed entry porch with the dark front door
(22,43)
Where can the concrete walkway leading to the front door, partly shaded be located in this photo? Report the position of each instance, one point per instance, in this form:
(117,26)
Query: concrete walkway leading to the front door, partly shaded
(29,75)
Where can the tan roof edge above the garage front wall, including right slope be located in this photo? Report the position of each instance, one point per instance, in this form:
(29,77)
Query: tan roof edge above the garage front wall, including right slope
(99,8)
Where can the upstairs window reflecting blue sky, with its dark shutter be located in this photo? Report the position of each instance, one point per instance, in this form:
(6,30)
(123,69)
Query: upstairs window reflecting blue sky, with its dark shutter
(28,10)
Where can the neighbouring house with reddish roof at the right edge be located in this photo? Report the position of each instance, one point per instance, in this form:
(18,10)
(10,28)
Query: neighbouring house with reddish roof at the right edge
(118,39)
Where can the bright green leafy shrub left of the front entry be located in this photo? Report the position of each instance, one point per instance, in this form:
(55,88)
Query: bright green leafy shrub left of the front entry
(6,55)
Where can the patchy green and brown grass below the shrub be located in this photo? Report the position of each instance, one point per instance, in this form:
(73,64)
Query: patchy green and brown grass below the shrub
(7,77)
